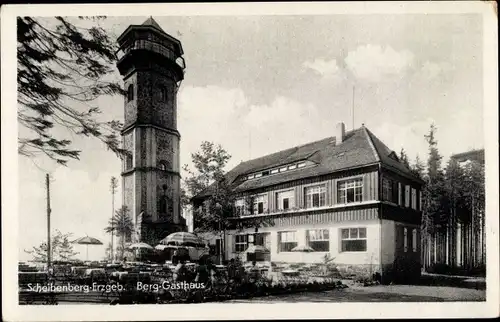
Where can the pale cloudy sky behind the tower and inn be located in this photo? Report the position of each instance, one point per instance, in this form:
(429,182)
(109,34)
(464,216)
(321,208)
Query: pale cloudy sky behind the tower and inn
(260,84)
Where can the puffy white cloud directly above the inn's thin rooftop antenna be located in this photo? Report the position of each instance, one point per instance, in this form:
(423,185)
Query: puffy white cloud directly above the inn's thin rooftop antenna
(374,63)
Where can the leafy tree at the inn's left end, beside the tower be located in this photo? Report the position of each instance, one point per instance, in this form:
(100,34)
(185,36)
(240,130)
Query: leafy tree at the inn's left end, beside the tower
(215,211)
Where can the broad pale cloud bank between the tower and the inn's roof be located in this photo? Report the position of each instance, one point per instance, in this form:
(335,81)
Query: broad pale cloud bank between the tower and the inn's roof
(210,113)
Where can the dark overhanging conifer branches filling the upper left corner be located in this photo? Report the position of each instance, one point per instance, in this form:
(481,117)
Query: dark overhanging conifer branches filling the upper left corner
(62,70)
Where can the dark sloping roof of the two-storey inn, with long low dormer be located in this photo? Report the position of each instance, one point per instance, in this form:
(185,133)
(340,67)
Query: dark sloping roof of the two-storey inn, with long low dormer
(359,148)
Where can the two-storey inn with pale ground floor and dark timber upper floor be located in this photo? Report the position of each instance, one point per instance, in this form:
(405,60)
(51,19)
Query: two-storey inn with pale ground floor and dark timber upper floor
(348,196)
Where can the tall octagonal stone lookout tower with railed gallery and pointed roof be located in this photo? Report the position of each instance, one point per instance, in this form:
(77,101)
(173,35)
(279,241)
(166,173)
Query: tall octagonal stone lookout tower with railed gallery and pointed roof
(151,64)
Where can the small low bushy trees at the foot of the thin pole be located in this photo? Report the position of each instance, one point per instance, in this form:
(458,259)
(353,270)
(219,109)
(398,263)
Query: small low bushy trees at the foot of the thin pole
(61,248)
